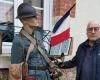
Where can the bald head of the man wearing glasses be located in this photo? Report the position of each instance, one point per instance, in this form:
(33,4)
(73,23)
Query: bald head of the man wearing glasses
(93,30)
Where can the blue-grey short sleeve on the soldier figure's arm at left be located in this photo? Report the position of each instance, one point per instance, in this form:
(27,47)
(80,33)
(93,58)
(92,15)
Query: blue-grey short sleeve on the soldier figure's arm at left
(16,51)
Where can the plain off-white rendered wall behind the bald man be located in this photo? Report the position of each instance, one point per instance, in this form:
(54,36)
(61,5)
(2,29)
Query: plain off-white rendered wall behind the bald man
(86,10)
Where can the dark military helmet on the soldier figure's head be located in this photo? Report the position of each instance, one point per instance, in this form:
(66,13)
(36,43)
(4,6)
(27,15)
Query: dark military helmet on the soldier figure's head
(25,10)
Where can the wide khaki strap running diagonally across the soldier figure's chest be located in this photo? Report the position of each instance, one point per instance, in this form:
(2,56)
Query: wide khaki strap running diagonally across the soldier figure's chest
(43,53)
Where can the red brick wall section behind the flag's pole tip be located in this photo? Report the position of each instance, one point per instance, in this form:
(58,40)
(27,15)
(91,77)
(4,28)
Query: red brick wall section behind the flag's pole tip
(61,6)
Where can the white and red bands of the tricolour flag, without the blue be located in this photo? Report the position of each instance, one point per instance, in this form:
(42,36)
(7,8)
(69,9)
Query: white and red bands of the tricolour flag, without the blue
(62,34)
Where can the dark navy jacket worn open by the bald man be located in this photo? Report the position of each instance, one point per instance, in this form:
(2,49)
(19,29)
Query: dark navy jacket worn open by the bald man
(80,56)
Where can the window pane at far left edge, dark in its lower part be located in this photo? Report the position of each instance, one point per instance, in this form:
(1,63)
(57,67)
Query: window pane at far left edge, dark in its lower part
(6,20)
